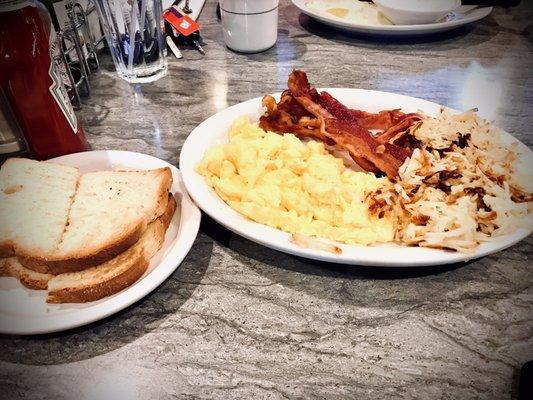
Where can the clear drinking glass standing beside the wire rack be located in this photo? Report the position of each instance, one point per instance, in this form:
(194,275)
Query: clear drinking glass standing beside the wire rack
(134,34)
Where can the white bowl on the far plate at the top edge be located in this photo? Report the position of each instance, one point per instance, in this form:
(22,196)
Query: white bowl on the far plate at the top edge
(415,12)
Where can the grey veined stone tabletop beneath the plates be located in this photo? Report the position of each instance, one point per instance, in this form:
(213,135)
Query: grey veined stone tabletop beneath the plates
(238,320)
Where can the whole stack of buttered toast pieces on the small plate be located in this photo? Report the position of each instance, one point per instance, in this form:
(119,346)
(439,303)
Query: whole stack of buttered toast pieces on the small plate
(96,232)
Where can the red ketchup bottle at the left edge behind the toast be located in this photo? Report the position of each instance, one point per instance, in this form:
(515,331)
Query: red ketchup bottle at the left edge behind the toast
(31,82)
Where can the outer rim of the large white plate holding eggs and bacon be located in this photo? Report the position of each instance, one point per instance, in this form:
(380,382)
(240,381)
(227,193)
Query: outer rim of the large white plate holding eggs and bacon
(451,258)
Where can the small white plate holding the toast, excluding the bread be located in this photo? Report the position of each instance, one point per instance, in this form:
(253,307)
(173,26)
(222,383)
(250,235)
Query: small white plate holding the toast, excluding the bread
(25,312)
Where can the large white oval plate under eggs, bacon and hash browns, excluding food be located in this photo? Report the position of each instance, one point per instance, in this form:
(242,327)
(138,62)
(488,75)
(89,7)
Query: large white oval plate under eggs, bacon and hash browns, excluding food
(214,130)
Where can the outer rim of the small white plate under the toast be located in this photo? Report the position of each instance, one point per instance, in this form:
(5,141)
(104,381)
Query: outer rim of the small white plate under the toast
(187,232)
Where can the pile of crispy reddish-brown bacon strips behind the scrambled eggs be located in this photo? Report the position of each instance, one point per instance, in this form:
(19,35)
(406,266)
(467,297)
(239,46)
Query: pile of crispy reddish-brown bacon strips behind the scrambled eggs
(309,114)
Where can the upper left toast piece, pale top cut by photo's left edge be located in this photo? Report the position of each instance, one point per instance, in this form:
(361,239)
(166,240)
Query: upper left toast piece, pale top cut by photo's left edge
(35,199)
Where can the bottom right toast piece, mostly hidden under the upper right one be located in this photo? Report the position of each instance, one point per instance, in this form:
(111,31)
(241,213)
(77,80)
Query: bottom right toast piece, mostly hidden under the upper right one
(114,275)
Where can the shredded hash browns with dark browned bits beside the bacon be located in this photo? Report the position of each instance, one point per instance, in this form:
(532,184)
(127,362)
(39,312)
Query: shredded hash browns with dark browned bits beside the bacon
(462,186)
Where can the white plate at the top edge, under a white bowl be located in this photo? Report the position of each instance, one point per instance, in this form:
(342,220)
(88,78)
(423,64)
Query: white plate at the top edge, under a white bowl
(460,18)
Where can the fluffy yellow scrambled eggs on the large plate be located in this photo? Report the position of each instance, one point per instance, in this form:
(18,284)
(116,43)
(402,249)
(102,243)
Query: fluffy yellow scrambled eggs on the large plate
(294,186)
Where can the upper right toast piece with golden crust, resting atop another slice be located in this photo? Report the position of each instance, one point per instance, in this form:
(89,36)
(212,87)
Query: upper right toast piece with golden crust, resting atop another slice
(110,213)
